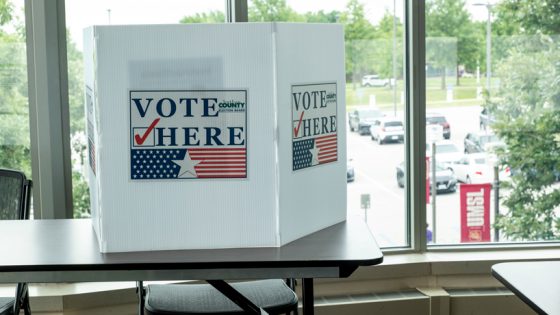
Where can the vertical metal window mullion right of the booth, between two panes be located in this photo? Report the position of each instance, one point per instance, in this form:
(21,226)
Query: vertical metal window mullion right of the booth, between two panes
(416,117)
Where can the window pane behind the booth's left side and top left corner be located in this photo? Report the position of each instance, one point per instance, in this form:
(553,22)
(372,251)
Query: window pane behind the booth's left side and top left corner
(81,14)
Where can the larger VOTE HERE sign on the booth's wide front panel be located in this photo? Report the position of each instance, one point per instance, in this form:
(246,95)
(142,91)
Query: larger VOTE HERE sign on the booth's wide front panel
(188,134)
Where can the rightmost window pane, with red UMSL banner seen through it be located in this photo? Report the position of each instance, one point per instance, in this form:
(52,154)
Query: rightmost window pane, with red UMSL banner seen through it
(492,72)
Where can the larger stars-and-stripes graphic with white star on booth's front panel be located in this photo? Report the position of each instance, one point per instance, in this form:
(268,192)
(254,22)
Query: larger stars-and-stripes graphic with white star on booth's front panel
(189,163)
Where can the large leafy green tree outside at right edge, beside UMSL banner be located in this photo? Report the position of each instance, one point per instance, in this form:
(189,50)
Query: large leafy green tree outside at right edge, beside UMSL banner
(528,118)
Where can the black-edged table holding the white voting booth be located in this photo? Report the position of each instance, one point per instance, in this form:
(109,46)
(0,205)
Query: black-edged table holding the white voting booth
(67,251)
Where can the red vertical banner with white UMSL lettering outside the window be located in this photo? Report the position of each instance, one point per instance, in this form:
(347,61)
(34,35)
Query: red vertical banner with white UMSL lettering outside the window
(475,212)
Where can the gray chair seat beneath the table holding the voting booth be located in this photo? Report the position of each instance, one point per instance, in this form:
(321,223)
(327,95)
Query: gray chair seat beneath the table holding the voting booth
(274,296)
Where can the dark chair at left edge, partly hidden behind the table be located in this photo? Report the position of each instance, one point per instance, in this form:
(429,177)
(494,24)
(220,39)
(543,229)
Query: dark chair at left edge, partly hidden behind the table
(15,194)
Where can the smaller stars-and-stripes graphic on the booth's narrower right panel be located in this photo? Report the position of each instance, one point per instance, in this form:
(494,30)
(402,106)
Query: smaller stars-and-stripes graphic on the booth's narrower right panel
(313,151)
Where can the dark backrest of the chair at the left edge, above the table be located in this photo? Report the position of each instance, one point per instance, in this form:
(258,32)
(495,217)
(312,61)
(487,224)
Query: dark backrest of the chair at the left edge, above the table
(14,195)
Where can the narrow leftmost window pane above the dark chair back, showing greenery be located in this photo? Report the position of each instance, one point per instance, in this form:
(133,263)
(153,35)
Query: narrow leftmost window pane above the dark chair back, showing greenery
(14,106)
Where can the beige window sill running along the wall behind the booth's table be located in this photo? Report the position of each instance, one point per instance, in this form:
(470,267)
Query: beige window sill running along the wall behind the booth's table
(441,269)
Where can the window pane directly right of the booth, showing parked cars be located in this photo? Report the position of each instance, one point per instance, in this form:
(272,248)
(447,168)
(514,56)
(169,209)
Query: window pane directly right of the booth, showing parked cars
(374,90)
